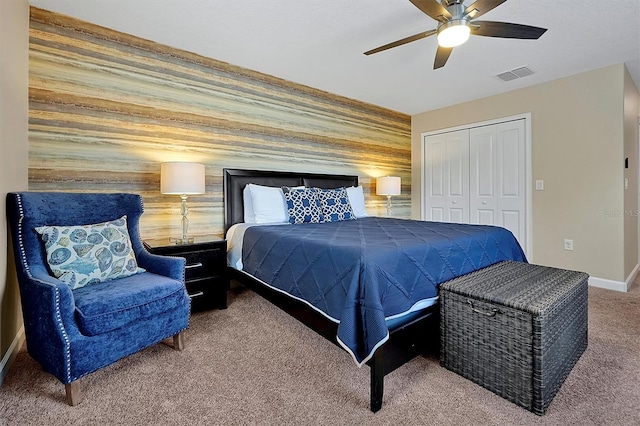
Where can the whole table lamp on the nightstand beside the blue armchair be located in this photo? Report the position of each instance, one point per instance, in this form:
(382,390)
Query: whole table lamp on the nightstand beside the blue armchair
(184,179)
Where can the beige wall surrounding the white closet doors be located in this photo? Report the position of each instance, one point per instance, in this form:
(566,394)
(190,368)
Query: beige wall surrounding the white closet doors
(578,148)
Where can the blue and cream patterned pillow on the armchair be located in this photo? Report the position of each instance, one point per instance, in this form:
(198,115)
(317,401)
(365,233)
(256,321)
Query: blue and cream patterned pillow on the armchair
(86,254)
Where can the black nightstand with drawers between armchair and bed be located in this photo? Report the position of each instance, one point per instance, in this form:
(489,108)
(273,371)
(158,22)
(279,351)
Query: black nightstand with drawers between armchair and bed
(205,275)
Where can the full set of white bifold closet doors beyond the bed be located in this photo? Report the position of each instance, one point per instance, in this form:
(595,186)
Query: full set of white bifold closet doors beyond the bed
(478,176)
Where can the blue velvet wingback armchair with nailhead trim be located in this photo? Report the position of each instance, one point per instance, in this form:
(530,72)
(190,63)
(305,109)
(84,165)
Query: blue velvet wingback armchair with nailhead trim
(73,332)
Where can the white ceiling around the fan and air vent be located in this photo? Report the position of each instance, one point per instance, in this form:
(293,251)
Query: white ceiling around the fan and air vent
(320,43)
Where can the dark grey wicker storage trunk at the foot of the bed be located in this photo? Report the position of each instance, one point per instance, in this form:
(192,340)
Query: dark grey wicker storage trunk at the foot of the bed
(515,328)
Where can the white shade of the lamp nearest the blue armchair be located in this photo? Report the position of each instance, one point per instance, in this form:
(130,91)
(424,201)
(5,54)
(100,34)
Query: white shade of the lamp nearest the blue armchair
(181,178)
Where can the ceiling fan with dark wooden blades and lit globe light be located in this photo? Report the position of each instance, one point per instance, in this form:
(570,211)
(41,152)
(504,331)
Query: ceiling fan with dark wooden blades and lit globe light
(456,22)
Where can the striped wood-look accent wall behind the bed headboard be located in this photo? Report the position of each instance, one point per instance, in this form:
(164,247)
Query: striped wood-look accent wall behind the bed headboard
(106,108)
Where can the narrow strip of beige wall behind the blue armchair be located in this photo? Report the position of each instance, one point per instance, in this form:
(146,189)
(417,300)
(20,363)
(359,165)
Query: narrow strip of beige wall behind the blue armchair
(14,26)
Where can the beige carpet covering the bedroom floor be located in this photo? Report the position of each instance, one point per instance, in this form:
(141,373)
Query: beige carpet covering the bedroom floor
(253,364)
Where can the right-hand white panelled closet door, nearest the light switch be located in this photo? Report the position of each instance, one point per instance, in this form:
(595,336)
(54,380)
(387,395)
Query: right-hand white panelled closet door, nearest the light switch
(497,177)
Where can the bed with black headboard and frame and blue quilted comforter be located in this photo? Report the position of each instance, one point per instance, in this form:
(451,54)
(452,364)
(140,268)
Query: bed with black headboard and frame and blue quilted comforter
(369,284)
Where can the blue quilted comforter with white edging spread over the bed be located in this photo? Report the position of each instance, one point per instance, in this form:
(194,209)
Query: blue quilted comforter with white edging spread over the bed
(359,272)
